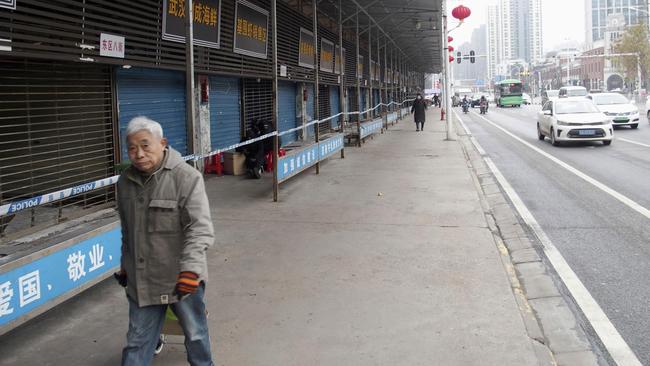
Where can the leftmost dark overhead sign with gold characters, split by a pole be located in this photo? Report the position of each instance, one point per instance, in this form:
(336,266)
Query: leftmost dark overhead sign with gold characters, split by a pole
(206,19)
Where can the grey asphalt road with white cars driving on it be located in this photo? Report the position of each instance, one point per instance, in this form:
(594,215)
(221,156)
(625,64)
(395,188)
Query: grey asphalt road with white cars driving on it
(606,243)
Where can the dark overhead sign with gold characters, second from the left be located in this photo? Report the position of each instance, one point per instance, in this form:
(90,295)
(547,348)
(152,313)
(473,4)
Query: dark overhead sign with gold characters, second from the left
(251,30)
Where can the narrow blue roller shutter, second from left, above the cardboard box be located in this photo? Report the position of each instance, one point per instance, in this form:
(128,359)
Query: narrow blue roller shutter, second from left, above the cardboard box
(225,118)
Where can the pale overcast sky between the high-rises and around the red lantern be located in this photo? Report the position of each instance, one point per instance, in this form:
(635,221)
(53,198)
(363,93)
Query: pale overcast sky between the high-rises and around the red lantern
(561,20)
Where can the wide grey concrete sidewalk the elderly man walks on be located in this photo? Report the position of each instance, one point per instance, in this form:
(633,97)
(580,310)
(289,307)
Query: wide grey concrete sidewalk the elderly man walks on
(385,258)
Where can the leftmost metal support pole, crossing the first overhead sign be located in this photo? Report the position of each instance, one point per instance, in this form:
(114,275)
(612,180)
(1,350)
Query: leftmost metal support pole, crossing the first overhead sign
(189,79)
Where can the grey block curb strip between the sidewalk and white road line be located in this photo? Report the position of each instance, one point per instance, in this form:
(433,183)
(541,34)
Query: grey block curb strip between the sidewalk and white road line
(556,332)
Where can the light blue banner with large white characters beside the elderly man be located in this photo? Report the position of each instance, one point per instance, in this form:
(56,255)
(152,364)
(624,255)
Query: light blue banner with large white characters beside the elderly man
(38,282)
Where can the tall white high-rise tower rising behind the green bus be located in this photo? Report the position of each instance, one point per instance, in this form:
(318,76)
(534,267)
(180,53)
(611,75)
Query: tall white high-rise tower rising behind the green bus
(514,33)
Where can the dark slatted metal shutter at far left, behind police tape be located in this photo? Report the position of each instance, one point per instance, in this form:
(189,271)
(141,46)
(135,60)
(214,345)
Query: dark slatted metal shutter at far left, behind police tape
(56,132)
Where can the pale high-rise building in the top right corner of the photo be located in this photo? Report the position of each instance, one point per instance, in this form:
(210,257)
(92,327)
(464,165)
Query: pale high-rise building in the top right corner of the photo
(596,12)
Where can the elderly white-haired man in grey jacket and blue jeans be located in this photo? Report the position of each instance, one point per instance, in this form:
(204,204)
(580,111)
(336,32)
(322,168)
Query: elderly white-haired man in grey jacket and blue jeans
(166,230)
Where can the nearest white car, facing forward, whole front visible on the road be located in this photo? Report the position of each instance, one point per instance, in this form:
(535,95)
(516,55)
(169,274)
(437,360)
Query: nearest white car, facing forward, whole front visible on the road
(572,119)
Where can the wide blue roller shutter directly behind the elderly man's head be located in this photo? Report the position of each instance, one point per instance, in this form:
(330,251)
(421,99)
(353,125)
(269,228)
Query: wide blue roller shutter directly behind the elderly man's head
(156,94)
